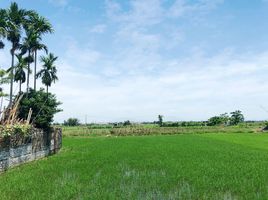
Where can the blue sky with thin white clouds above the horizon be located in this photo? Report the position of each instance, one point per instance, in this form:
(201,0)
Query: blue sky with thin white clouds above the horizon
(135,59)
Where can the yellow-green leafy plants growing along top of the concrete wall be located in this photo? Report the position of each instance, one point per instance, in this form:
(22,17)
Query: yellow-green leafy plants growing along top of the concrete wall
(9,130)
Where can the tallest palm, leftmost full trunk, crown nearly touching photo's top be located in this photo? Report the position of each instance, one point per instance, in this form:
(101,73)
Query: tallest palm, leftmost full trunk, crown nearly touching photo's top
(14,18)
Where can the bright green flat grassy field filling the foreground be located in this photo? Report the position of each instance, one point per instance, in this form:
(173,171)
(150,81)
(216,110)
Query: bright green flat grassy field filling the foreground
(187,166)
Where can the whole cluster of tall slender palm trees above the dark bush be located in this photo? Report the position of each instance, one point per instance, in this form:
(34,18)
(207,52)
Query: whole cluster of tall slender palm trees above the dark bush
(24,30)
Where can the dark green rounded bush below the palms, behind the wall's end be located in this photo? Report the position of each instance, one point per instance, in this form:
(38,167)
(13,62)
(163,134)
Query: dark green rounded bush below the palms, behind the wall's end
(44,106)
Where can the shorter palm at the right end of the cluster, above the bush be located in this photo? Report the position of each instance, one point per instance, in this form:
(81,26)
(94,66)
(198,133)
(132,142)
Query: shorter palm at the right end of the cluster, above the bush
(49,72)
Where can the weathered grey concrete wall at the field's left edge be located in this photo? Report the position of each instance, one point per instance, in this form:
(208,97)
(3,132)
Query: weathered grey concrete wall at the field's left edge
(17,150)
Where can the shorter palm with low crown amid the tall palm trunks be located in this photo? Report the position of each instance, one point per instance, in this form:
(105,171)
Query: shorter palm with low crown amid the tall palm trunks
(19,74)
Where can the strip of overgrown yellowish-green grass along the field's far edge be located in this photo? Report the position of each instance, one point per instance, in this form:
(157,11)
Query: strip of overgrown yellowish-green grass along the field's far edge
(156,130)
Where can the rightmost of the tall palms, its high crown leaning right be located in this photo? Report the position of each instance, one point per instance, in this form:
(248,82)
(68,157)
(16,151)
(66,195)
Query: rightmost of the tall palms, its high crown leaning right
(40,26)
